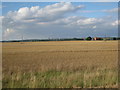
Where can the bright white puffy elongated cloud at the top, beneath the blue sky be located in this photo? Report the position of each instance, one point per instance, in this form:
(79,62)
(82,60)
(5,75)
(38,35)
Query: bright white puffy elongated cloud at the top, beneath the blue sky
(47,13)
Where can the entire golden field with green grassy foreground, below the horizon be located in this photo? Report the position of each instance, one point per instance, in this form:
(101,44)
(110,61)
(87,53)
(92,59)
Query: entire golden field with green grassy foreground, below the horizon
(60,64)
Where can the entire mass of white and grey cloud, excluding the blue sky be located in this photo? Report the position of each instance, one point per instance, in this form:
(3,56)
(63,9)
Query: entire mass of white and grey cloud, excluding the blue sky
(50,21)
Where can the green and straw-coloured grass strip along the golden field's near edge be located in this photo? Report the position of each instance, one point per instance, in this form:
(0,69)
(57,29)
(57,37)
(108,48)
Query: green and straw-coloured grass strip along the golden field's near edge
(62,79)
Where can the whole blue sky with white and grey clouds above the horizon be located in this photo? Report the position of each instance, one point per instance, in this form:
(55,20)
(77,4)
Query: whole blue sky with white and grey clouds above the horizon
(58,20)
